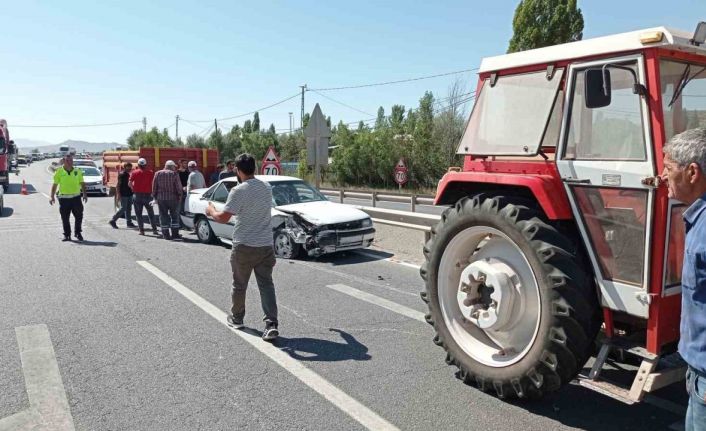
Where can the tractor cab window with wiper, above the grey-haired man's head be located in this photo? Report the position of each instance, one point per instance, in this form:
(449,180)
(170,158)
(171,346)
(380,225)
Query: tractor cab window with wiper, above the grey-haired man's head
(683,96)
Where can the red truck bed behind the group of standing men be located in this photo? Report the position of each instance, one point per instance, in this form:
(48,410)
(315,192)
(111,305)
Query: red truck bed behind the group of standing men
(206,158)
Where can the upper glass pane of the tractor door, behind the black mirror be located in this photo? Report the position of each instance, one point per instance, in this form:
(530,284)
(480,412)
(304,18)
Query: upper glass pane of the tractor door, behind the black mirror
(613,132)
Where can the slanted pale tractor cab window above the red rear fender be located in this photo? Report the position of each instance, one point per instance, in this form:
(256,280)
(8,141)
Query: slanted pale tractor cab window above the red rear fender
(515,115)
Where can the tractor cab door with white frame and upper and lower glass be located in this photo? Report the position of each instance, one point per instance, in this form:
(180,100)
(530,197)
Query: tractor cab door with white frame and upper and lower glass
(605,154)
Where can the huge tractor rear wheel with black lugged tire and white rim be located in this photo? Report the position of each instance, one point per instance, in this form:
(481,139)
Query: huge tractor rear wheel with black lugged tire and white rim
(565,307)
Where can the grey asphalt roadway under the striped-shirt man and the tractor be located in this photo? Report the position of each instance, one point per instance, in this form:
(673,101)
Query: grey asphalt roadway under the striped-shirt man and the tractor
(138,344)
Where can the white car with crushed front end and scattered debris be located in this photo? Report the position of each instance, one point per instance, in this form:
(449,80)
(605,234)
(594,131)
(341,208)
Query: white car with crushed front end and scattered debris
(303,220)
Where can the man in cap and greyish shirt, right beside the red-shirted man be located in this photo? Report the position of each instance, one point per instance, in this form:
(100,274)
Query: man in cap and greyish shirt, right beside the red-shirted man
(167,191)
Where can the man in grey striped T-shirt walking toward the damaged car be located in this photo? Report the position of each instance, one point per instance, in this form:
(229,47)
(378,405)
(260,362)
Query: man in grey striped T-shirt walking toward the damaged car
(250,202)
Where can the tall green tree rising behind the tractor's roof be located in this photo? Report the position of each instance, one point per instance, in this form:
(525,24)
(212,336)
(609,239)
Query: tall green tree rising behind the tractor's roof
(540,23)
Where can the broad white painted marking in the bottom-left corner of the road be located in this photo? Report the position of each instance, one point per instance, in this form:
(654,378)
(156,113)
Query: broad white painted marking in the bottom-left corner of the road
(49,408)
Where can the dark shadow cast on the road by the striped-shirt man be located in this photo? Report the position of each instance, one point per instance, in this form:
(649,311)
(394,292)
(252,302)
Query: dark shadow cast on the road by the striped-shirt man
(314,349)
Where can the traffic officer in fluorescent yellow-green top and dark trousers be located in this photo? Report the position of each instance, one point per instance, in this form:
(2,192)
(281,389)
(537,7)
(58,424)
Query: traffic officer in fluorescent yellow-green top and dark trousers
(69,183)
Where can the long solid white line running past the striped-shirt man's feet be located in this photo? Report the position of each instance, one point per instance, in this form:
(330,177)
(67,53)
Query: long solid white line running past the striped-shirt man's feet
(338,398)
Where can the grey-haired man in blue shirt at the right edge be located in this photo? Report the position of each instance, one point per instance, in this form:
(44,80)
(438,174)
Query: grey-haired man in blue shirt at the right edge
(685,173)
